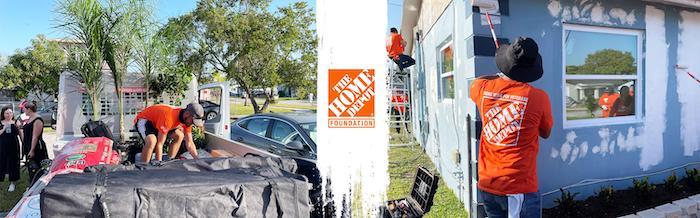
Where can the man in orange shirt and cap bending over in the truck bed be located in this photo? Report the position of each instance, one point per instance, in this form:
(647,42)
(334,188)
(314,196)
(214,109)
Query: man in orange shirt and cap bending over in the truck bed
(157,122)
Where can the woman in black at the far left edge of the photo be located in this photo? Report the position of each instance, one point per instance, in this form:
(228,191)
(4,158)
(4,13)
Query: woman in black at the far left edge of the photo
(9,148)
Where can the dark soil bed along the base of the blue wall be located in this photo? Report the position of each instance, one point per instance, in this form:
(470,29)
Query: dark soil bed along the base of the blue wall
(626,201)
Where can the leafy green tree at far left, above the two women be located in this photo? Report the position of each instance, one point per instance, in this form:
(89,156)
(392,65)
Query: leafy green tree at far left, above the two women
(34,70)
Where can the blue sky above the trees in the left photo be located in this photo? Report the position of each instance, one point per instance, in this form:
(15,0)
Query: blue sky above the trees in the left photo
(23,20)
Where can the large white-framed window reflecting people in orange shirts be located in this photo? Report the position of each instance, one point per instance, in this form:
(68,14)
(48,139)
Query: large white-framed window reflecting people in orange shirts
(601,73)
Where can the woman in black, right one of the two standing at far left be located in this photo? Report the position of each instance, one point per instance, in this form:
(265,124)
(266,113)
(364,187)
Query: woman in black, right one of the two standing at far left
(34,141)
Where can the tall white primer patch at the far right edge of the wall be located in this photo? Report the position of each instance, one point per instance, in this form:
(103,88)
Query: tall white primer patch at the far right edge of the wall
(688,88)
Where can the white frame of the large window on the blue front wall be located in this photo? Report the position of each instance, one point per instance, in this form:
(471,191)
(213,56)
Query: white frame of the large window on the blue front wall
(638,78)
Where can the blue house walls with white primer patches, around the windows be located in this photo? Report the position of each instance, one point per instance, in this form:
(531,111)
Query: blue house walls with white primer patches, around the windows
(666,136)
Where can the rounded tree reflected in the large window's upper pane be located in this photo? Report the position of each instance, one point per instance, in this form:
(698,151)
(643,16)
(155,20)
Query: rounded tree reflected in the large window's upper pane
(606,61)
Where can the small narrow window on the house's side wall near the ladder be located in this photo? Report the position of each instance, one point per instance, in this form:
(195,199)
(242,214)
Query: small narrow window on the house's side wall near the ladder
(446,71)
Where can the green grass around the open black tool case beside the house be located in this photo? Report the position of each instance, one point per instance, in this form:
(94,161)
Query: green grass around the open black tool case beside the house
(403,162)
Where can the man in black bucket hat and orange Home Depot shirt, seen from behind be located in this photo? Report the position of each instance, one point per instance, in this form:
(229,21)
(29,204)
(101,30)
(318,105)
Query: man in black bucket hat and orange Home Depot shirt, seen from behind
(514,114)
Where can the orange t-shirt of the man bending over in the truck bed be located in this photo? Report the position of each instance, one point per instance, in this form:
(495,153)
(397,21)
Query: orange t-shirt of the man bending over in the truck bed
(163,117)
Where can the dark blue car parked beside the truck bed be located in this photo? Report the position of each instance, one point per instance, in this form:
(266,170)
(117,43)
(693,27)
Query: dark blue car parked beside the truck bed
(292,134)
